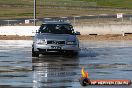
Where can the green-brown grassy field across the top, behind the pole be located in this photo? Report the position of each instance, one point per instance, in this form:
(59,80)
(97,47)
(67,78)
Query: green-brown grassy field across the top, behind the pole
(51,8)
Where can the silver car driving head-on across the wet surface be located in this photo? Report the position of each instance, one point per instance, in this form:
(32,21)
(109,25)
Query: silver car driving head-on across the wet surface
(55,37)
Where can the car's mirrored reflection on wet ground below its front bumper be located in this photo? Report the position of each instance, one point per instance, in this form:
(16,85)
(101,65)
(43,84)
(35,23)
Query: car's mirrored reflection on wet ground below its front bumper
(54,71)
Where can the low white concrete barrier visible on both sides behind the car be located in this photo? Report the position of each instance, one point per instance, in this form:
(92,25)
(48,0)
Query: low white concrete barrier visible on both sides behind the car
(84,30)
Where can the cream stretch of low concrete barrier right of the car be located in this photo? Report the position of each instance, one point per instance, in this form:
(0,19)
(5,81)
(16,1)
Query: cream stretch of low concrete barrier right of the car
(104,29)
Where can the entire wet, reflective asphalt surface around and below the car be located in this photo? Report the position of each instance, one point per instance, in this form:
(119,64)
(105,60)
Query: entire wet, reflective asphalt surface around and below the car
(102,59)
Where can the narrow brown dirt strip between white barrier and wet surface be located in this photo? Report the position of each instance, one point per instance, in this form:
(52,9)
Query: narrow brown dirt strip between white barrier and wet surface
(81,37)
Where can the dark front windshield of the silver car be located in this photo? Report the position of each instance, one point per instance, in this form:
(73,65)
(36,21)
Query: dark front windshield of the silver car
(56,29)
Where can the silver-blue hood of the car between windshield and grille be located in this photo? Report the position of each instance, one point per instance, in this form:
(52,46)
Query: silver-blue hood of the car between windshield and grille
(66,37)
